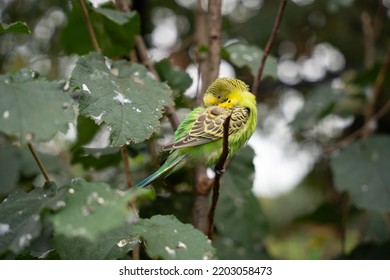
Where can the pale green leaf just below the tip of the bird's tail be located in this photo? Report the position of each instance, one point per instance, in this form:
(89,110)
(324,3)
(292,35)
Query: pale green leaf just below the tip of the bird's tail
(93,209)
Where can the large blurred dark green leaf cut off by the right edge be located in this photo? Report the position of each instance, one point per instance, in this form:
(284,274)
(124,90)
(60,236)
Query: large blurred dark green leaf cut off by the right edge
(362,170)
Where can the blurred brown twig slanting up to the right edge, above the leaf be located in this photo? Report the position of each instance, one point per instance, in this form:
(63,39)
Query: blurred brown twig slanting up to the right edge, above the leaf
(367,128)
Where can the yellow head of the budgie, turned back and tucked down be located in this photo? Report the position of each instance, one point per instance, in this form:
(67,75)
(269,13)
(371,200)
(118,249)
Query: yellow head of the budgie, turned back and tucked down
(226,92)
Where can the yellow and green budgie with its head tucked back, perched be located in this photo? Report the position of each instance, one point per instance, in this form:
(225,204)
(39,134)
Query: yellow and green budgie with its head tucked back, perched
(199,137)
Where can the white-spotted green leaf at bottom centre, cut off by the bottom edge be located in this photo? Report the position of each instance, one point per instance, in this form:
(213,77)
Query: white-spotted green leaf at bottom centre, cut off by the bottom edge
(167,238)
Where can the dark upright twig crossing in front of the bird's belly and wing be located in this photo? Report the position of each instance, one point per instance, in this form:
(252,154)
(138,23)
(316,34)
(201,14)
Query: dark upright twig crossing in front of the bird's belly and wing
(219,170)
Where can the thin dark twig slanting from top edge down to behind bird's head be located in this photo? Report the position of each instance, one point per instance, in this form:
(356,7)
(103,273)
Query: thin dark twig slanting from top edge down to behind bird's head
(268,47)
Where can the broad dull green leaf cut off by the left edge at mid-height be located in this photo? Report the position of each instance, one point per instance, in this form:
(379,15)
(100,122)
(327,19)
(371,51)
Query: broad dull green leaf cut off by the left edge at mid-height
(32,107)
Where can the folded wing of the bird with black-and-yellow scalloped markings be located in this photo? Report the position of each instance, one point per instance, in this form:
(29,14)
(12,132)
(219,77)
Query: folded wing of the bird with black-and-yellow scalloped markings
(208,126)
